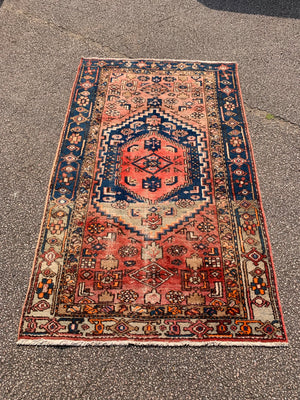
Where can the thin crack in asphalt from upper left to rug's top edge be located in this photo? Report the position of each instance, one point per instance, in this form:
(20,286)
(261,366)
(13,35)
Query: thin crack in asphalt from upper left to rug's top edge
(63,29)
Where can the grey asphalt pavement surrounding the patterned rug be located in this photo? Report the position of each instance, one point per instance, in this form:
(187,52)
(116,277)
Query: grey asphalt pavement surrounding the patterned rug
(41,45)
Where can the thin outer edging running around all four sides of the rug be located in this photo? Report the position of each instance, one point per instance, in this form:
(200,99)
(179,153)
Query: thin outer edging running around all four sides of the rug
(212,342)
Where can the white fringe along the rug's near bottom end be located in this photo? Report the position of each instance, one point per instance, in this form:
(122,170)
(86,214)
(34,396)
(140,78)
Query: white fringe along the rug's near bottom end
(63,342)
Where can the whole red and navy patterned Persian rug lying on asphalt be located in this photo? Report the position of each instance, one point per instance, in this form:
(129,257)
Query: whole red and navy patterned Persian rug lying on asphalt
(153,231)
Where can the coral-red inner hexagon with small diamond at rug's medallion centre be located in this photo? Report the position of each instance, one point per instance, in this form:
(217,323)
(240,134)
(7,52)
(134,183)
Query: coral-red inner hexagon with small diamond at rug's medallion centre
(152,166)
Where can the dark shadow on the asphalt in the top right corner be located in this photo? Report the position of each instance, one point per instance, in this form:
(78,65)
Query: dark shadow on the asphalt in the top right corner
(275,8)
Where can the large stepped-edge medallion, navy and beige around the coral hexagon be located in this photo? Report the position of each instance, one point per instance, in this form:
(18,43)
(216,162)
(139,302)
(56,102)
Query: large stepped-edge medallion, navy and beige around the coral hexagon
(152,173)
